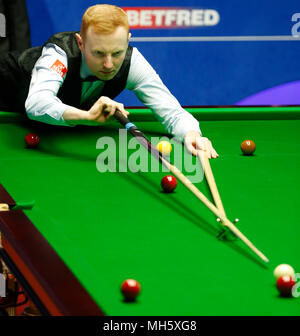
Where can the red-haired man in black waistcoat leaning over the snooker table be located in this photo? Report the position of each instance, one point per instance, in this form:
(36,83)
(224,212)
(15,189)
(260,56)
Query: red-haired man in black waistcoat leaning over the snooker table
(60,83)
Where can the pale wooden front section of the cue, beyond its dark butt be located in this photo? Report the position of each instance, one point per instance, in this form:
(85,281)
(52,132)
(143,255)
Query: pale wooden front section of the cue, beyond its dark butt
(187,183)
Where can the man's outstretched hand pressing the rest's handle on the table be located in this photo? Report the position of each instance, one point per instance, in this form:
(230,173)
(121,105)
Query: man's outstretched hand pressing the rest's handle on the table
(194,141)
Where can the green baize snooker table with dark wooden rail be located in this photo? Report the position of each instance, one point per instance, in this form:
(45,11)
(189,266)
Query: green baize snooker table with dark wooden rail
(89,230)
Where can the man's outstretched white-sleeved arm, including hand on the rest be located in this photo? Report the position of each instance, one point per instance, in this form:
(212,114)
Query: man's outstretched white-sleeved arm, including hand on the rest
(151,91)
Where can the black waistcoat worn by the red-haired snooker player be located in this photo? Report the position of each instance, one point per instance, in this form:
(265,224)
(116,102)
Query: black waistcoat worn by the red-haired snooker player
(16,71)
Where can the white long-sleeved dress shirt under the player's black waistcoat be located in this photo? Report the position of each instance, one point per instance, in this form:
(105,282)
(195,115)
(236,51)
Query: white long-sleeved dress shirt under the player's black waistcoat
(43,105)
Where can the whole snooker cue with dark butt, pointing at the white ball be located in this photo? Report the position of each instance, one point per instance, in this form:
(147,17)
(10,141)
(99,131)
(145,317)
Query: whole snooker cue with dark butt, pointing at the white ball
(130,127)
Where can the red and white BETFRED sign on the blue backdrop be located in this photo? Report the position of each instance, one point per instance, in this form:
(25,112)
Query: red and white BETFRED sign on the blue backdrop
(167,17)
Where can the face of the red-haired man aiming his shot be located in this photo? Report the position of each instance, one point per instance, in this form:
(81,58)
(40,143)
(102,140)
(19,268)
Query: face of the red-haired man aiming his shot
(104,53)
